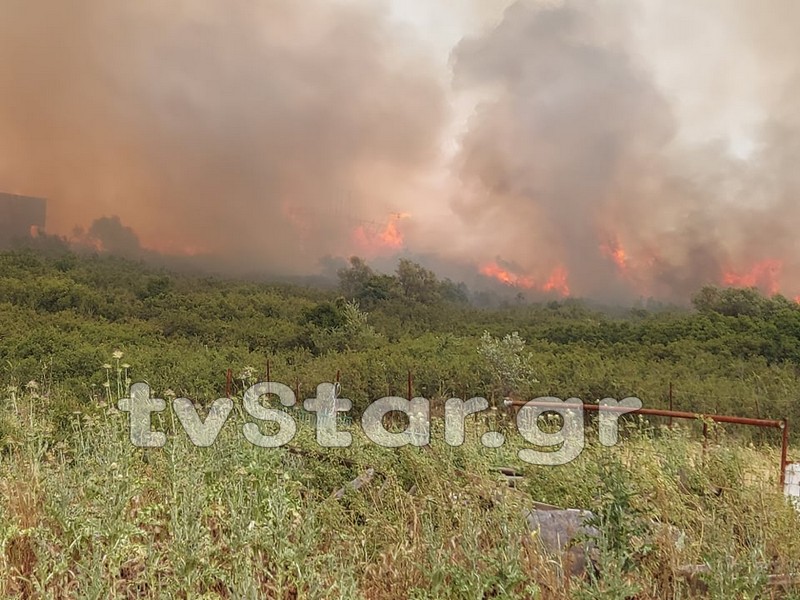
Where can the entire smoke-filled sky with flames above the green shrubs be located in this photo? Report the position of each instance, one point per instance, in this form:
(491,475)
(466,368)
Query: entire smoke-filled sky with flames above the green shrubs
(596,148)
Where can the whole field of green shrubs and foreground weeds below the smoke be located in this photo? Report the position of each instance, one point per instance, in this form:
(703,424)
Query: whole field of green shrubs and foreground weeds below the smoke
(84,513)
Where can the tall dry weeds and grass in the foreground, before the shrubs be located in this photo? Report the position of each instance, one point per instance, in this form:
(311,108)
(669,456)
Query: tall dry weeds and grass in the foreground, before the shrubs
(83,514)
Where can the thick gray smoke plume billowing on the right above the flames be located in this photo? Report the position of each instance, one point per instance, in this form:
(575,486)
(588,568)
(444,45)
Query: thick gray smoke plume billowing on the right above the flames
(577,158)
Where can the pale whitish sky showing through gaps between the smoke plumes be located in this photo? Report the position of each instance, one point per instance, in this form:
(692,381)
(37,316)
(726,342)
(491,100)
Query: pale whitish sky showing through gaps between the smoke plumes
(715,93)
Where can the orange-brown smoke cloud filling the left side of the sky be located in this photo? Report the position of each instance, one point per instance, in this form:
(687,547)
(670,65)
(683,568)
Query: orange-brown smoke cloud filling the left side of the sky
(262,132)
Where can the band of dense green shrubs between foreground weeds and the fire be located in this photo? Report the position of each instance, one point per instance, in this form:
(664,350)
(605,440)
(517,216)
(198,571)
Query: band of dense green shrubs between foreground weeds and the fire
(183,332)
